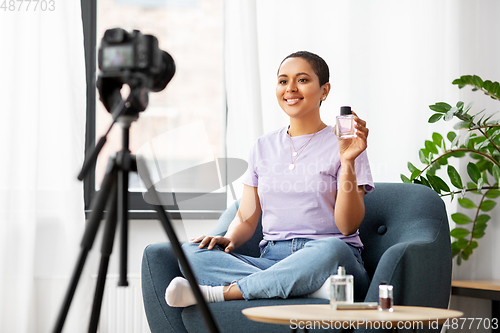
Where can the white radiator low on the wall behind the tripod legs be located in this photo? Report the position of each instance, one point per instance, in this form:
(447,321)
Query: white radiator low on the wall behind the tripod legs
(122,307)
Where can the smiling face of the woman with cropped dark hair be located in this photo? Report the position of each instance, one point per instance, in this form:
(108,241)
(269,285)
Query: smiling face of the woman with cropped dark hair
(298,91)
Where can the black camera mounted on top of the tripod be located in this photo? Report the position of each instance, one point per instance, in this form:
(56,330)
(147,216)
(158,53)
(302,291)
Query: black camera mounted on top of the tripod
(134,59)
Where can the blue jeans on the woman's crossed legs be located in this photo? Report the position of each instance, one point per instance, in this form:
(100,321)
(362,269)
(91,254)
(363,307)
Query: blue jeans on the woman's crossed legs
(285,268)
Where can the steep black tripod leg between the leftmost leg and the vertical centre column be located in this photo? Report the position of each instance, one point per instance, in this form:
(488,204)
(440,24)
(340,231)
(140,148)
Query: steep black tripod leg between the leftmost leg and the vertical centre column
(106,249)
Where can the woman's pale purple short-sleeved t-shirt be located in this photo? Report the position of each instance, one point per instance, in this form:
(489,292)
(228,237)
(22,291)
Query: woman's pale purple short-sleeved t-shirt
(300,203)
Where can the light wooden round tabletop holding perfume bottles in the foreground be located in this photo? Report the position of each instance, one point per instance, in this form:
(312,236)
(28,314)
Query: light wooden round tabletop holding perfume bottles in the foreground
(323,316)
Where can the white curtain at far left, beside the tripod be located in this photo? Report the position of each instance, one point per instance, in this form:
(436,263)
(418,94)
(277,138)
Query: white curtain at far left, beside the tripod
(42,127)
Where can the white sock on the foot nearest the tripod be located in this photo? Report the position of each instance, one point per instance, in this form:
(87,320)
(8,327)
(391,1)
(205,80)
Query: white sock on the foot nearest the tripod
(180,294)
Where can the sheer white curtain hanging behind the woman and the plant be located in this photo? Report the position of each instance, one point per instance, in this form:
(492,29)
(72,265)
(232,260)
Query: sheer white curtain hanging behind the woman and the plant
(388,59)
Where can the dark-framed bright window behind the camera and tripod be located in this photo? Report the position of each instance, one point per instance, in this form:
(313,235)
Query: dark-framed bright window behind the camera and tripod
(183,125)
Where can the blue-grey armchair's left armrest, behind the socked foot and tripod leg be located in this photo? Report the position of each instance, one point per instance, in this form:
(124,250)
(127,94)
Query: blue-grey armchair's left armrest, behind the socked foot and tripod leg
(159,267)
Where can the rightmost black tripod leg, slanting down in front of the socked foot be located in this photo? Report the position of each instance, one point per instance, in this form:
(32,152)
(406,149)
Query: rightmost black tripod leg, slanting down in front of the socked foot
(188,272)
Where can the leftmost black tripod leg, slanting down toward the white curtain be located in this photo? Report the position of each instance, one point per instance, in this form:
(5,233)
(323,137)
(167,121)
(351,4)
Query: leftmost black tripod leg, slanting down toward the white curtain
(97,208)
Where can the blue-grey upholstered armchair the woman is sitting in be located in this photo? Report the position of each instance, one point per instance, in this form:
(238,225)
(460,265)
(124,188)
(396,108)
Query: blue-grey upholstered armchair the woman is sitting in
(407,244)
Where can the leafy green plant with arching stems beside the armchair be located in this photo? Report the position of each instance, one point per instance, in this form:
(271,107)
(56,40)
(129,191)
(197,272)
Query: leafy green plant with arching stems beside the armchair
(477,137)
